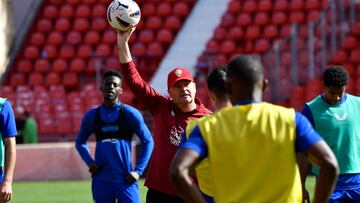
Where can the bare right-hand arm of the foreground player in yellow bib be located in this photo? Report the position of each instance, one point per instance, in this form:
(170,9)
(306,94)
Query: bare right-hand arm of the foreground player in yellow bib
(321,156)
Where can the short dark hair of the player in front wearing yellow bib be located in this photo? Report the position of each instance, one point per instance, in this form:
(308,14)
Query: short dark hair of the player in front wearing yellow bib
(246,69)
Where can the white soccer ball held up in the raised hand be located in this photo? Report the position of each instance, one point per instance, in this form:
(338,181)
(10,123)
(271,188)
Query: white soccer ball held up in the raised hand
(123,13)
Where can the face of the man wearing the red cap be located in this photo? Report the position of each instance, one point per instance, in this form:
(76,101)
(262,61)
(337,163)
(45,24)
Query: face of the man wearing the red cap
(183,92)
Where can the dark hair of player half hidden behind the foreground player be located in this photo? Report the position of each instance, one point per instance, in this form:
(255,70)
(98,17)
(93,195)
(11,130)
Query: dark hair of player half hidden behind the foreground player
(216,81)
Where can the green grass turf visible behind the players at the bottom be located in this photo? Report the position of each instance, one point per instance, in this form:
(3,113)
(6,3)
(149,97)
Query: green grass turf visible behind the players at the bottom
(69,191)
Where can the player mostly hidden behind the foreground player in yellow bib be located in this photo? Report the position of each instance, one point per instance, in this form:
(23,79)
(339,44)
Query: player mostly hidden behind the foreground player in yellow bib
(220,99)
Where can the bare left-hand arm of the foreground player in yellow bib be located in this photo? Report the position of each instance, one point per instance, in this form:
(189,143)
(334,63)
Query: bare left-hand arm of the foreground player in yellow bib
(181,167)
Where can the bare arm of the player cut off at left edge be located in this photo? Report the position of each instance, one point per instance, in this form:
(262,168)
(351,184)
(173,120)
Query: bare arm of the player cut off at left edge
(10,159)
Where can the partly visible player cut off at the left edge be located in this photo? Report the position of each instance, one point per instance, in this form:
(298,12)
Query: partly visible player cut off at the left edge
(8,133)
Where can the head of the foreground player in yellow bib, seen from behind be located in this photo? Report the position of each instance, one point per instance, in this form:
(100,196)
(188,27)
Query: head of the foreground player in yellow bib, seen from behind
(245,79)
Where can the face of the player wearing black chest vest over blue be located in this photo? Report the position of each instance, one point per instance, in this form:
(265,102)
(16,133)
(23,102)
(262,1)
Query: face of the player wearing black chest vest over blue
(111,88)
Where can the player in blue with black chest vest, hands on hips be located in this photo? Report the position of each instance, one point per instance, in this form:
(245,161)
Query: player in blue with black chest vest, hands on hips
(114,123)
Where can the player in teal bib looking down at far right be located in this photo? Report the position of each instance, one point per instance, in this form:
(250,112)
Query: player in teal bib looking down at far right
(335,115)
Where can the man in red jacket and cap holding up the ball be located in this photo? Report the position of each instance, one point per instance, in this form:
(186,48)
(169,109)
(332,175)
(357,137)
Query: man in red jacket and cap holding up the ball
(171,115)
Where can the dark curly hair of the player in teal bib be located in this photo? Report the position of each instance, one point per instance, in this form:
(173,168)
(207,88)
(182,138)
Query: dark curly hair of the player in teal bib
(335,76)
